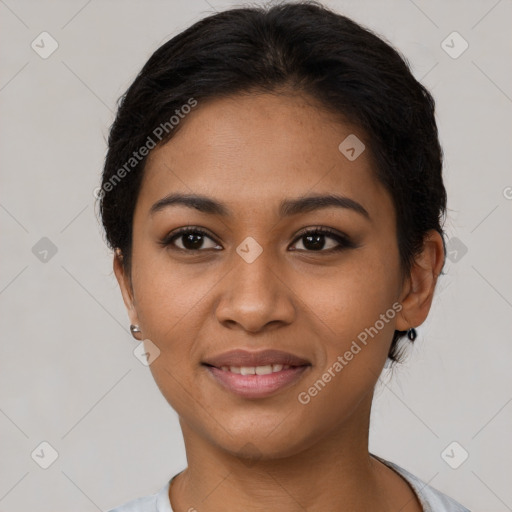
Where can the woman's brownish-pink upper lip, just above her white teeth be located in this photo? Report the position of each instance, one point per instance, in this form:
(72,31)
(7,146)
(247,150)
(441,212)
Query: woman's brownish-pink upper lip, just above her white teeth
(243,358)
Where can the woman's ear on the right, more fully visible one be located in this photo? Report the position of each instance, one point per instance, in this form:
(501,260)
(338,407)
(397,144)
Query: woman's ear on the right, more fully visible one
(418,290)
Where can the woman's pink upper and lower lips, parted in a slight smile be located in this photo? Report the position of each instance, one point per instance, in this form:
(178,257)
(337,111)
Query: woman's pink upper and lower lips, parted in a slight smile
(256,386)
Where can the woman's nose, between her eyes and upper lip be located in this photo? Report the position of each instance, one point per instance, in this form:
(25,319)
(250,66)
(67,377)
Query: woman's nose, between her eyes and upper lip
(255,296)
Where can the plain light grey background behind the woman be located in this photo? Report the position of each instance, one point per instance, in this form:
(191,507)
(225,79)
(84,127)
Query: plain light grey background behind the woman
(68,374)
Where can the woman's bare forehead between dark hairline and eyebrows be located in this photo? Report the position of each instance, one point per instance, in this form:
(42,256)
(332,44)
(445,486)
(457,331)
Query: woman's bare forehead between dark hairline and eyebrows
(257,149)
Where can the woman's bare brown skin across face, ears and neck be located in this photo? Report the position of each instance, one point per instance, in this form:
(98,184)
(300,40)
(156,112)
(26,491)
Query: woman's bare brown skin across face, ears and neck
(251,152)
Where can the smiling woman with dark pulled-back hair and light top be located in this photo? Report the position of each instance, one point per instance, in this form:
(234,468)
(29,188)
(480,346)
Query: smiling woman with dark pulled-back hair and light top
(273,192)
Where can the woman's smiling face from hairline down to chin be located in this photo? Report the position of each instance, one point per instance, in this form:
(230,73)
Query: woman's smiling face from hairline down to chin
(248,275)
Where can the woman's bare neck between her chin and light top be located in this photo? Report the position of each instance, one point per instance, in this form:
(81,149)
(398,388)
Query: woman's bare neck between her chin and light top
(333,473)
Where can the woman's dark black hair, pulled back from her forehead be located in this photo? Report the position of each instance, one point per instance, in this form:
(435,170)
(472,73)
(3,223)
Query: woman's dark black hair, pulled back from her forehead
(299,47)
